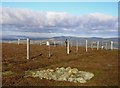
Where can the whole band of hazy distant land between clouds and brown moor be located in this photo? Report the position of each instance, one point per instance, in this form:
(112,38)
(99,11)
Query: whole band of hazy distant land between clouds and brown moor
(72,39)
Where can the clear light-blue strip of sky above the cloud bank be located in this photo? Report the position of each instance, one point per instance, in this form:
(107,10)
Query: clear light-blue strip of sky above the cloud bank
(75,8)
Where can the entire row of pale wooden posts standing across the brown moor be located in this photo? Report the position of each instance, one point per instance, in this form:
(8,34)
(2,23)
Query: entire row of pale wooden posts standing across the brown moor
(68,46)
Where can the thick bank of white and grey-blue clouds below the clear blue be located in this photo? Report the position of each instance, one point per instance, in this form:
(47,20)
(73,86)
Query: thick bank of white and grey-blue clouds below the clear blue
(26,20)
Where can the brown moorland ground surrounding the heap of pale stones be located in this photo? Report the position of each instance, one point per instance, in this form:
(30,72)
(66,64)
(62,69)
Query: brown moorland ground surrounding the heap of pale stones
(103,63)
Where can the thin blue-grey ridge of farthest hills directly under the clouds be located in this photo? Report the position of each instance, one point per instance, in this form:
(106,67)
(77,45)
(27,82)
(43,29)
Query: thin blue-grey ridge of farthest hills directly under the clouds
(72,38)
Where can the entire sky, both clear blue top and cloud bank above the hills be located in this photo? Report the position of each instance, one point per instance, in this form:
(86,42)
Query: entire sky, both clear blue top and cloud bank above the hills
(48,19)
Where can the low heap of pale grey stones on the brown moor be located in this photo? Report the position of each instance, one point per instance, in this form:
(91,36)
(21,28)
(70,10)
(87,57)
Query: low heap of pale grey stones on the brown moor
(64,74)
